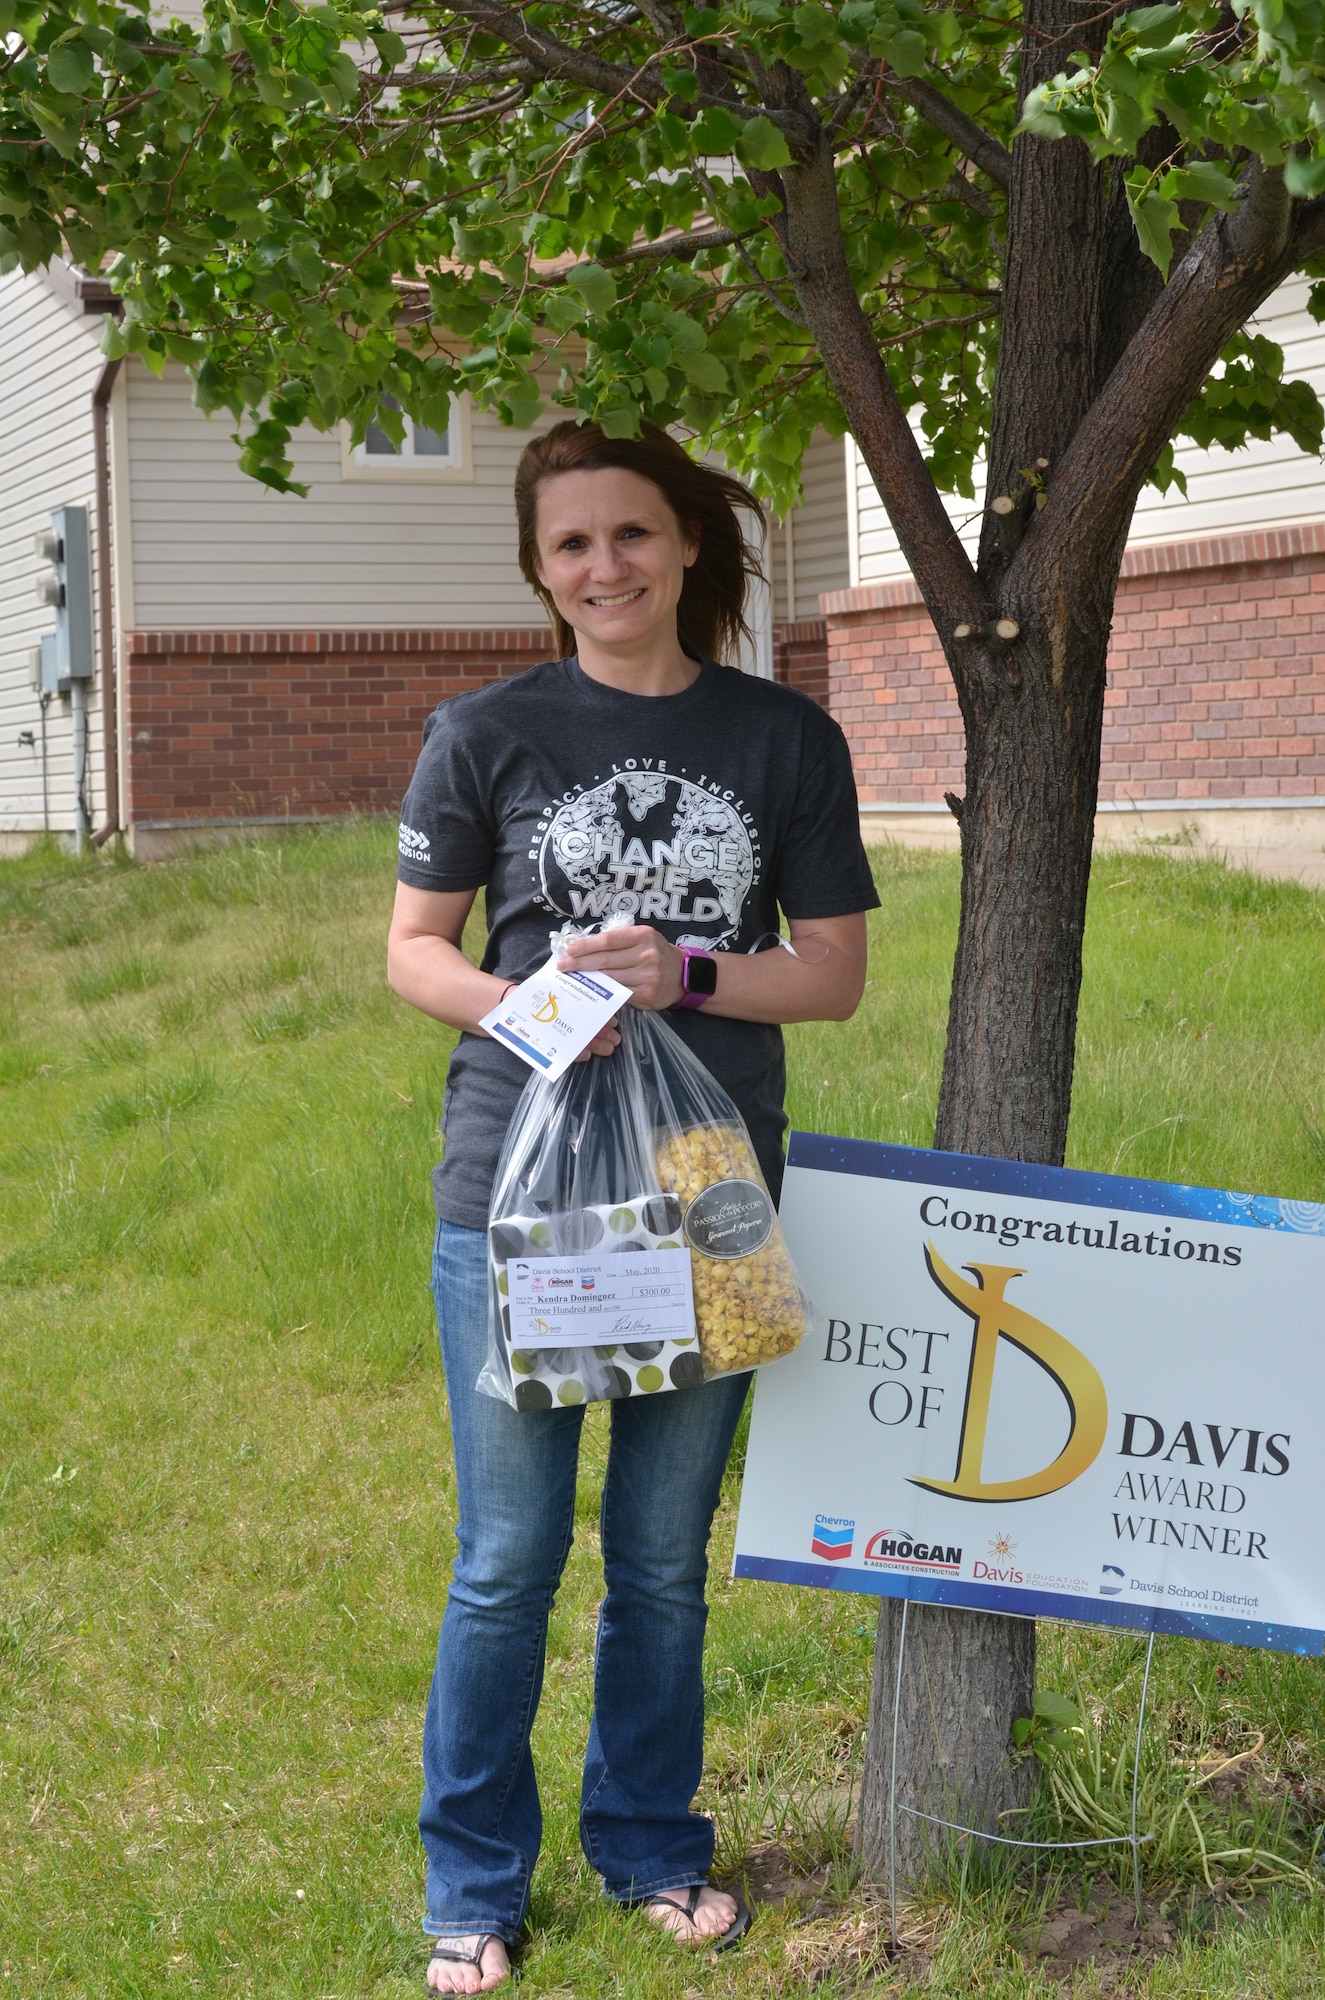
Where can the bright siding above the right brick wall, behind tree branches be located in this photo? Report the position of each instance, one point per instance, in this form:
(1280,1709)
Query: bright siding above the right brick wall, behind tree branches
(1266,485)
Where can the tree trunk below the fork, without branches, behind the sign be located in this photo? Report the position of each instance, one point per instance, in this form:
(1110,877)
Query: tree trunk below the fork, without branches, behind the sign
(1034,731)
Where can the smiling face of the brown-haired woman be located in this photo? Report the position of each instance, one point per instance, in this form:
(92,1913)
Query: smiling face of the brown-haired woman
(613,557)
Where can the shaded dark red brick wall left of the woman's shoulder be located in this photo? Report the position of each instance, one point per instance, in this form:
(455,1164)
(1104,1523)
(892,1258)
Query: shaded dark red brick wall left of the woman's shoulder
(247,725)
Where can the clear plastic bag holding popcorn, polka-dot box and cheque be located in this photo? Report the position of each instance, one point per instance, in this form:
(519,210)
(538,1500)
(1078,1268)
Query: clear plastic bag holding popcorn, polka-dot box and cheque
(633,1245)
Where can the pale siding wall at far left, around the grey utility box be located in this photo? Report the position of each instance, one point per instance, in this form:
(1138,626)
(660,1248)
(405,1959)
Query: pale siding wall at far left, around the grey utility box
(49,367)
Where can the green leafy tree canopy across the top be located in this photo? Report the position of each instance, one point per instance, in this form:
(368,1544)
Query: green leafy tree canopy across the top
(317,207)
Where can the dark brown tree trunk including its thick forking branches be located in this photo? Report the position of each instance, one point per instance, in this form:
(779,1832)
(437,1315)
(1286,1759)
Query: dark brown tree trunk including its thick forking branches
(1096,369)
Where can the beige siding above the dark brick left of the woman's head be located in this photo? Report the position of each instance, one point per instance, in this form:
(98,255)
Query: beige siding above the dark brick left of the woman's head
(217,551)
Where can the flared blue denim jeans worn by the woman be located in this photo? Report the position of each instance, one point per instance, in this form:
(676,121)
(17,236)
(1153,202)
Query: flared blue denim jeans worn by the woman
(515,1473)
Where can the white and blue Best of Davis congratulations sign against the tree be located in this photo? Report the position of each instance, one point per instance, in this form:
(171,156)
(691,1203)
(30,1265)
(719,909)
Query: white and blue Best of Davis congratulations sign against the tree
(1048,1393)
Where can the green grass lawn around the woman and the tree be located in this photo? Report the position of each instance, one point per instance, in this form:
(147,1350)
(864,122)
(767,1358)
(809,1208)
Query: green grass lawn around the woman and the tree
(225,1489)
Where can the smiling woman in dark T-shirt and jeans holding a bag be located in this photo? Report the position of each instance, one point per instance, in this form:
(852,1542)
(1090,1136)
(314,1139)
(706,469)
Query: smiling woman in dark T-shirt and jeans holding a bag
(637,777)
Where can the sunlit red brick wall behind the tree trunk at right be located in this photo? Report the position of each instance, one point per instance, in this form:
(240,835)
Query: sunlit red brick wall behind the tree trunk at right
(1216,677)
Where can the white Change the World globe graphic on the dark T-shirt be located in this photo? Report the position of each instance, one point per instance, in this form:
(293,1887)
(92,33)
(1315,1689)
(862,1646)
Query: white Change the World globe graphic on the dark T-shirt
(651,847)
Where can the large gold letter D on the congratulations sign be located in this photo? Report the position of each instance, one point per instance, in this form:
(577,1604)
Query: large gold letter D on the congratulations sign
(1082,1387)
